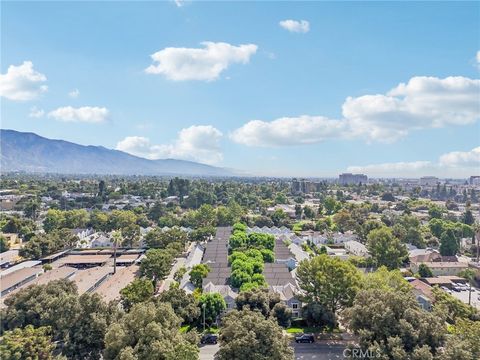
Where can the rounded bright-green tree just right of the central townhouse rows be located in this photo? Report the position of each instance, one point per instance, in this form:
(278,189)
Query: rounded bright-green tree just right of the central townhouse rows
(328,281)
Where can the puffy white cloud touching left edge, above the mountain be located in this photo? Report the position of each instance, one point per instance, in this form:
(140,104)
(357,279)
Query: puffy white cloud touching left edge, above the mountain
(22,82)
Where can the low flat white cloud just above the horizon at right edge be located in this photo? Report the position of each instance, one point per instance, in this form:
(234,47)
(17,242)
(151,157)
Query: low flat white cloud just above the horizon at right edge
(453,164)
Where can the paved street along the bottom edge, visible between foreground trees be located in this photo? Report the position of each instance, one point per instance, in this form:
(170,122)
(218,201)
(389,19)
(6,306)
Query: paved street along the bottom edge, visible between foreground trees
(315,351)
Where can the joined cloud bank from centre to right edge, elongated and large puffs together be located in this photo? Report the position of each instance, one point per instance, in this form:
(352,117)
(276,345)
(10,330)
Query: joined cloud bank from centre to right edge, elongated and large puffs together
(421,103)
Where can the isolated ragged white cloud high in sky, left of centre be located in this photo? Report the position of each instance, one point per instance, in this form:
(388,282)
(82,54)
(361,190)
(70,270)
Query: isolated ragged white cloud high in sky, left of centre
(207,63)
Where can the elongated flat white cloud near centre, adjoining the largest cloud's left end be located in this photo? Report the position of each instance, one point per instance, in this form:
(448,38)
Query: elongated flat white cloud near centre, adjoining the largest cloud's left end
(288,131)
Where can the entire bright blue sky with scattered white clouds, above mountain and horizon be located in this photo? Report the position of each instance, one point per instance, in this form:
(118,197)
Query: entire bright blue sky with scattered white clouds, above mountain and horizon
(78,71)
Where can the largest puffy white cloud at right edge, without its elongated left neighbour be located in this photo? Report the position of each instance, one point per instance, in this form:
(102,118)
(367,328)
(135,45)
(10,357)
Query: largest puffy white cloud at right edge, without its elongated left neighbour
(423,102)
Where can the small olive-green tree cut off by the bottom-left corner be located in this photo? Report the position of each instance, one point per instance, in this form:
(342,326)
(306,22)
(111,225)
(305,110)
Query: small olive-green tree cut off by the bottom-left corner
(27,343)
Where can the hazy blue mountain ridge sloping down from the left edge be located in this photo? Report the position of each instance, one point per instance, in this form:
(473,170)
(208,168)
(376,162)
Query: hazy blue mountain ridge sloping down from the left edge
(30,152)
